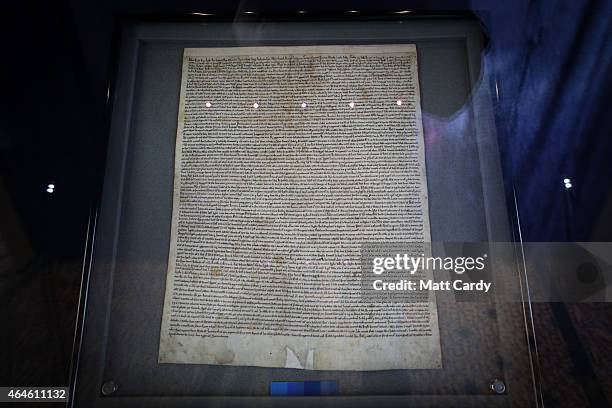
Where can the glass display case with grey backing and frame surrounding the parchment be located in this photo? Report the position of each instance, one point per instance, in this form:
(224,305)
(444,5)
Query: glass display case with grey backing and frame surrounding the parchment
(488,355)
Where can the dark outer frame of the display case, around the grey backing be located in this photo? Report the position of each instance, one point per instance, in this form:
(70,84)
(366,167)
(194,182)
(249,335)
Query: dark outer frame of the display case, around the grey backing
(91,384)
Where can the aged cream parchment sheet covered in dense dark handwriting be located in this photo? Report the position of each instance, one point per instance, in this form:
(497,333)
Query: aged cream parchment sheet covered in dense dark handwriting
(287,160)
